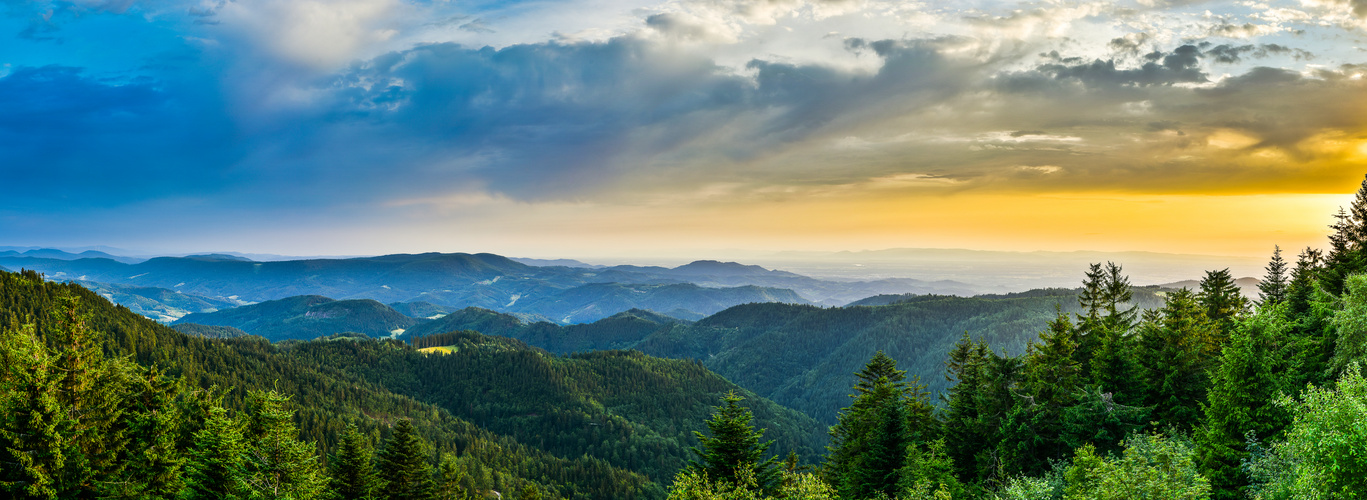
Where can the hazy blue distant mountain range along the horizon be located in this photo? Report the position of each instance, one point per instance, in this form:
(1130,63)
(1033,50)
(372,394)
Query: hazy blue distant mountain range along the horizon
(561,294)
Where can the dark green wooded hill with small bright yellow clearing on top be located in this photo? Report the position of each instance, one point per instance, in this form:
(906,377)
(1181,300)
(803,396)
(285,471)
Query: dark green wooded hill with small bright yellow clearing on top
(632,411)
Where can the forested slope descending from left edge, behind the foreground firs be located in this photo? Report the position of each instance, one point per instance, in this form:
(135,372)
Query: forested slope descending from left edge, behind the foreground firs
(327,400)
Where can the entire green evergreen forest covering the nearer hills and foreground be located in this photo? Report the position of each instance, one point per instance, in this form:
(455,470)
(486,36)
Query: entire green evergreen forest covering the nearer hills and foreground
(1122,393)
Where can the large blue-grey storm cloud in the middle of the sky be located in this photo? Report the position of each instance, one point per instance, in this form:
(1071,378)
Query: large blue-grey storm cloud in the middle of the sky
(557,120)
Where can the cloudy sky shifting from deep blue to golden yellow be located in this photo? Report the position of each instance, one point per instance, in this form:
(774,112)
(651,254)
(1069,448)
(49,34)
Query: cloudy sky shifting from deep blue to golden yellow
(645,128)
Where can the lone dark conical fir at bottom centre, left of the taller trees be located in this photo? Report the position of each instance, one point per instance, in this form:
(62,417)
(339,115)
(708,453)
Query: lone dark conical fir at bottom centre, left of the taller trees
(735,446)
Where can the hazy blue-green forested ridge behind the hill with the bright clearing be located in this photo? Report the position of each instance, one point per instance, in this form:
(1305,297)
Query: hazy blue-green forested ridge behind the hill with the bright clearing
(802,356)
